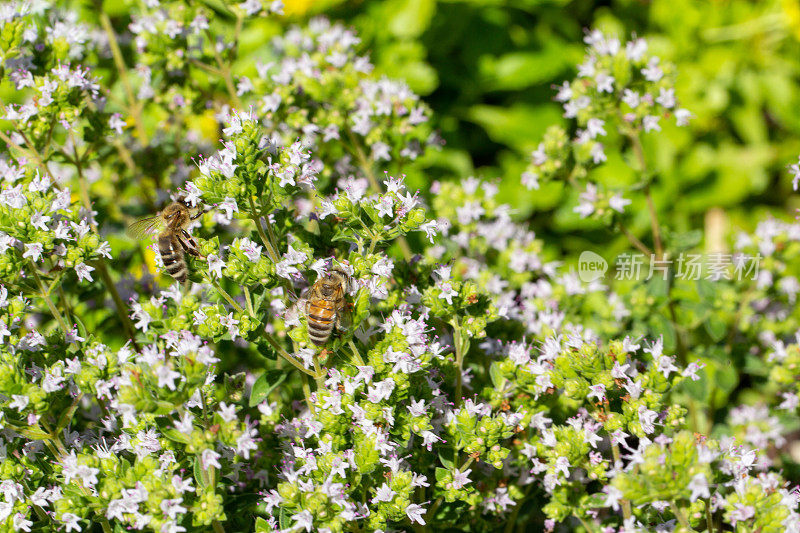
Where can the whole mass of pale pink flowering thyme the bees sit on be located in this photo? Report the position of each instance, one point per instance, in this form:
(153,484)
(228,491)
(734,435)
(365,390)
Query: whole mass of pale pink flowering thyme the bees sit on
(471,379)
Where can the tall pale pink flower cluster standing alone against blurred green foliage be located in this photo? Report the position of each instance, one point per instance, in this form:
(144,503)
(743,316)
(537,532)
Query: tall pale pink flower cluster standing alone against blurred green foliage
(620,92)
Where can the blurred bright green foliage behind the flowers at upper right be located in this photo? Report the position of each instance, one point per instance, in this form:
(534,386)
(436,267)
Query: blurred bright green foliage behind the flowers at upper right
(488,68)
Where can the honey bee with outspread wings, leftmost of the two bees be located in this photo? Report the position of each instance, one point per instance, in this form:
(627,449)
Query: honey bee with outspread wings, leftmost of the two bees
(174,242)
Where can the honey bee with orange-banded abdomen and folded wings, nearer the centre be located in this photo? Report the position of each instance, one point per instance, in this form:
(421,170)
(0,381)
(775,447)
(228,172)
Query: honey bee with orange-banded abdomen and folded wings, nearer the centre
(325,303)
